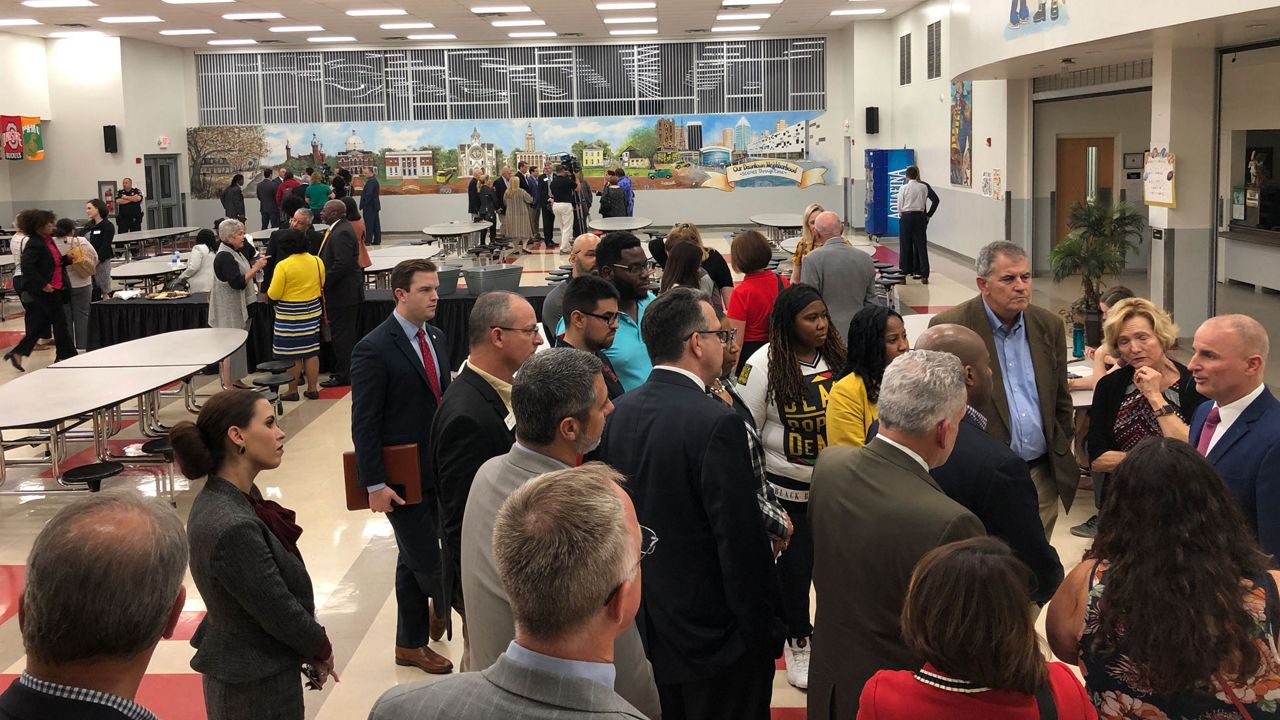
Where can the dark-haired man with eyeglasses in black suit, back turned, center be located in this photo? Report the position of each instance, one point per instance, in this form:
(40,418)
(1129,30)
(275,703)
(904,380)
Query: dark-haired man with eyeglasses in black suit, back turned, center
(710,625)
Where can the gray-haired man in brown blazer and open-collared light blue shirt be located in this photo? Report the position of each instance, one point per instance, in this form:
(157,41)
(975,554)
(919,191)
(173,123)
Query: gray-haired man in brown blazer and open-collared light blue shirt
(1030,408)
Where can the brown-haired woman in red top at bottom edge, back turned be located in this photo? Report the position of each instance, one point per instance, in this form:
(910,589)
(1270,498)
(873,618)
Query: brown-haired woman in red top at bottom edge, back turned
(968,616)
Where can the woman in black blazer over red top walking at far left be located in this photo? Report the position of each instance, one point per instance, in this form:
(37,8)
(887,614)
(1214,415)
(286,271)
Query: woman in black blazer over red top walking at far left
(44,288)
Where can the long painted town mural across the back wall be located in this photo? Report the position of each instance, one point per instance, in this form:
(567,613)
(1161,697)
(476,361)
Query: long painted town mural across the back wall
(719,152)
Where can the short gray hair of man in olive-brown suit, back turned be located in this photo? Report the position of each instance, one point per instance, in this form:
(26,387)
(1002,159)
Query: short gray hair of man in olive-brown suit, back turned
(921,389)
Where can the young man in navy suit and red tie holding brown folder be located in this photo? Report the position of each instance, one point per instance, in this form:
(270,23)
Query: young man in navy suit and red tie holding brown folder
(399,375)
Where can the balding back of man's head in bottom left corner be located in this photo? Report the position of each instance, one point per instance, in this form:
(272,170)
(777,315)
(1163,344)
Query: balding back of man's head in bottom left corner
(102,578)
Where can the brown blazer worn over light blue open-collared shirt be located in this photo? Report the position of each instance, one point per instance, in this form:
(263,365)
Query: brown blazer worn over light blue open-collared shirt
(1048,344)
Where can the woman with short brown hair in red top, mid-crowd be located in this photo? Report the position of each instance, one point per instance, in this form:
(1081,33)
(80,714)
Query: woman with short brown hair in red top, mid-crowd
(752,302)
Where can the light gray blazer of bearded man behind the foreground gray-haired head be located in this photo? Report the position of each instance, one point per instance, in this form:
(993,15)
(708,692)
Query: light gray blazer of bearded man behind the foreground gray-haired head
(490,625)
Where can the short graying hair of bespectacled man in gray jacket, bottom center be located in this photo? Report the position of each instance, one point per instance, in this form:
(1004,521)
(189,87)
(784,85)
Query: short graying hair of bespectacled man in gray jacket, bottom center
(561,545)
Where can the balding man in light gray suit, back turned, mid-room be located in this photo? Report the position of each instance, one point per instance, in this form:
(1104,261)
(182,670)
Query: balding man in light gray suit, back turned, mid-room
(844,275)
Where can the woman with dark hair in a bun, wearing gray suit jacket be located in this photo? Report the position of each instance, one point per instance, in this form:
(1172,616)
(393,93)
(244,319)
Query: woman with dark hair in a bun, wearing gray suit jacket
(260,627)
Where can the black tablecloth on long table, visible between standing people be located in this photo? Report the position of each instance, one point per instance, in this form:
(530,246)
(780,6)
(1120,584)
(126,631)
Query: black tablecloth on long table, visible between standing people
(120,321)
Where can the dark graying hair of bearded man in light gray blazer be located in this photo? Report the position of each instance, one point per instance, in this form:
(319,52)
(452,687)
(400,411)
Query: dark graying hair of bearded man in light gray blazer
(551,386)
